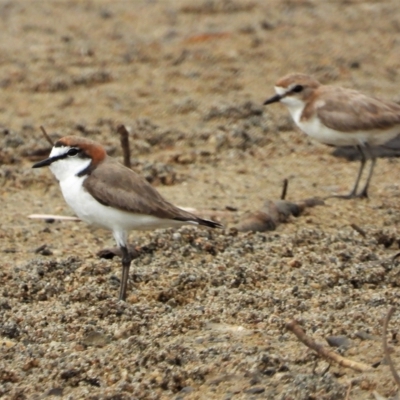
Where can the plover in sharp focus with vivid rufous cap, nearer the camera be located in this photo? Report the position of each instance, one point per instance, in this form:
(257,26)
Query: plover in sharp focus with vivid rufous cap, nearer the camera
(103,192)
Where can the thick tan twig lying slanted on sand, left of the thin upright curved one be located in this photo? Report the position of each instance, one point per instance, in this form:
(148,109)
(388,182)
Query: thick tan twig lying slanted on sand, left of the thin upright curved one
(294,327)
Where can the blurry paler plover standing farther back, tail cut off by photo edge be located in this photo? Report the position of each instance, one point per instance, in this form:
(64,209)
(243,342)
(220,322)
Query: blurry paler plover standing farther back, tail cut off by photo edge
(339,117)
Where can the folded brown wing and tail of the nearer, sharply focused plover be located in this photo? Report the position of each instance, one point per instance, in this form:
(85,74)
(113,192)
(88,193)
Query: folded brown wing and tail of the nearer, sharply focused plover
(114,185)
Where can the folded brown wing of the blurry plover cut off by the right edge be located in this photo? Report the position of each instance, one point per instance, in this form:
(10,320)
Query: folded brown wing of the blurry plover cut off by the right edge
(347,110)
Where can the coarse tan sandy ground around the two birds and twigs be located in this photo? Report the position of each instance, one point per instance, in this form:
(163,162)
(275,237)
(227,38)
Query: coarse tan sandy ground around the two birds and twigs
(206,312)
